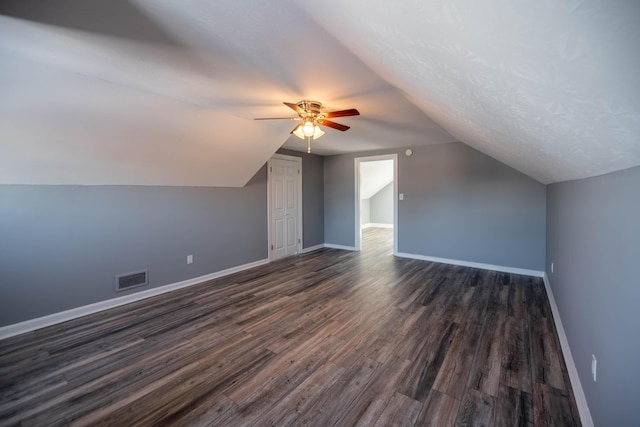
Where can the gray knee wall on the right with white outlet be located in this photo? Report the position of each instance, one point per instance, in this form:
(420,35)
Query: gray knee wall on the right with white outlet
(593,239)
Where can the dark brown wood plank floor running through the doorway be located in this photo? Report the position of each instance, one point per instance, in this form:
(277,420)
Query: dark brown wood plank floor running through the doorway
(327,338)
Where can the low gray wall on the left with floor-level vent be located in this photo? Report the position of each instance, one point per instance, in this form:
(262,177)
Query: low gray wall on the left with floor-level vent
(63,245)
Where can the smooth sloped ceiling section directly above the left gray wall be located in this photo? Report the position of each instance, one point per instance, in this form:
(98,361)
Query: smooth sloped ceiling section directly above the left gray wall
(64,128)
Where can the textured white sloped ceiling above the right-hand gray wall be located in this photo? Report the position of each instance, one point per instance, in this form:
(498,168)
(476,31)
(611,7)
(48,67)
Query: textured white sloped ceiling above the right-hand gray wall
(548,87)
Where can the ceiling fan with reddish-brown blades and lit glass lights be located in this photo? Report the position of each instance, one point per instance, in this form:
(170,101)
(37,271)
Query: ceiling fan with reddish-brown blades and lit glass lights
(312,118)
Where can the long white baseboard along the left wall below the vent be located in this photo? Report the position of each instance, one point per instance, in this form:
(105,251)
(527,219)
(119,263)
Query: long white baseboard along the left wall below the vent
(74,313)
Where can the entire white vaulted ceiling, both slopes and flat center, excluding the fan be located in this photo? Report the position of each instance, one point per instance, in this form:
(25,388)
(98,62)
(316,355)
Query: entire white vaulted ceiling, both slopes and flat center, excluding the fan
(163,92)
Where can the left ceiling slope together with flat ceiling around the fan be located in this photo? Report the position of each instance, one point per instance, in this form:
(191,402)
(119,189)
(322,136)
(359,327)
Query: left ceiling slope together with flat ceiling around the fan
(155,92)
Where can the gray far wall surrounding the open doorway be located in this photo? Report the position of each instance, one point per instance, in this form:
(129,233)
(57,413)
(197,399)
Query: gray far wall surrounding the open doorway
(459,204)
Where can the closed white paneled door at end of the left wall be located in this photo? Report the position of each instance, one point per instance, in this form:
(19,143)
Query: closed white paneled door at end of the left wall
(285,206)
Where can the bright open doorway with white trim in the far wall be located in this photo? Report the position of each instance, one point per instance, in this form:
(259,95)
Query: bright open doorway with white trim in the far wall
(376,198)
